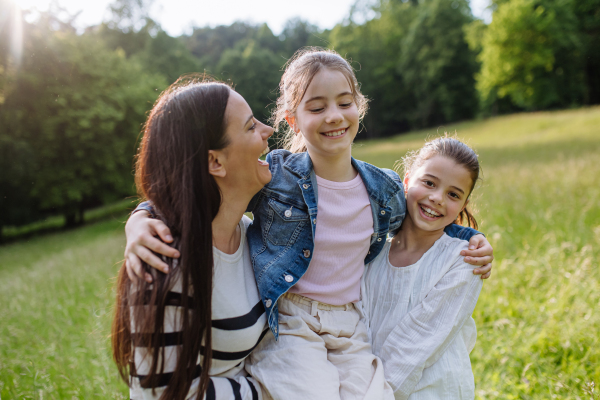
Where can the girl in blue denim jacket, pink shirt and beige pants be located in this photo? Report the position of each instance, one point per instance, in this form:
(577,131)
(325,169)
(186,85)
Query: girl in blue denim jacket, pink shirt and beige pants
(323,216)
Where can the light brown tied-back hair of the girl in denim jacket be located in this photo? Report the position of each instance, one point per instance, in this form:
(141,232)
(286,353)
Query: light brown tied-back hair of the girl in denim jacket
(299,73)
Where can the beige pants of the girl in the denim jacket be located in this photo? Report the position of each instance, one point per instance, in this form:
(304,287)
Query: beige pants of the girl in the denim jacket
(323,352)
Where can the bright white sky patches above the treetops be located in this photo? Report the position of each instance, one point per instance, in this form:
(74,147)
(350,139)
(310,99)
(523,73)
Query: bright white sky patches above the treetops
(178,16)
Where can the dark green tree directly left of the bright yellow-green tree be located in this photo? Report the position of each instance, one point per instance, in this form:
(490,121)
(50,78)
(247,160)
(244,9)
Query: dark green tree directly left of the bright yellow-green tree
(437,65)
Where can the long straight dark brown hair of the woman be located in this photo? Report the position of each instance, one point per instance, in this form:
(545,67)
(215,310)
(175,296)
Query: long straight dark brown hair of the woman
(172,171)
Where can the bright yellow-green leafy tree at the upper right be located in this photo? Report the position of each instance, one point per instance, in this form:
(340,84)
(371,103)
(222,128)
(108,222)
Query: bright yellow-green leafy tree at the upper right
(532,53)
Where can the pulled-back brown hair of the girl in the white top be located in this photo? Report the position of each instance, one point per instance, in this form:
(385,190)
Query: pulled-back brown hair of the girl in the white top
(456,150)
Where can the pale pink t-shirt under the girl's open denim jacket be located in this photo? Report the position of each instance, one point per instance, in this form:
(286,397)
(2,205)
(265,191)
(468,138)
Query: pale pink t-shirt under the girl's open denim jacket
(342,239)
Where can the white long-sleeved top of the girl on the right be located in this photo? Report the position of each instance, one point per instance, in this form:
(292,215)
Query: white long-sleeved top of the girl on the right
(420,323)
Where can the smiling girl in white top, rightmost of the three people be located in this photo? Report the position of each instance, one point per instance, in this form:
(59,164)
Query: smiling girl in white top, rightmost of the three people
(419,294)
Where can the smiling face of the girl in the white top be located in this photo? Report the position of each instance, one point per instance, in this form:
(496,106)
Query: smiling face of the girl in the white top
(437,192)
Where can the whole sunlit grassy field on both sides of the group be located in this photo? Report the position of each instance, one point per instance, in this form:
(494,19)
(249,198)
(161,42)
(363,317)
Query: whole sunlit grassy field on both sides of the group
(538,317)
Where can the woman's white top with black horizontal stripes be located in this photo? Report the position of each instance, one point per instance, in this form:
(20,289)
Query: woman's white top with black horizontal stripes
(238,325)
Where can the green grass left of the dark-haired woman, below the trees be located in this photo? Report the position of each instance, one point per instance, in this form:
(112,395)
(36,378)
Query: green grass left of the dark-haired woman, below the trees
(56,296)
